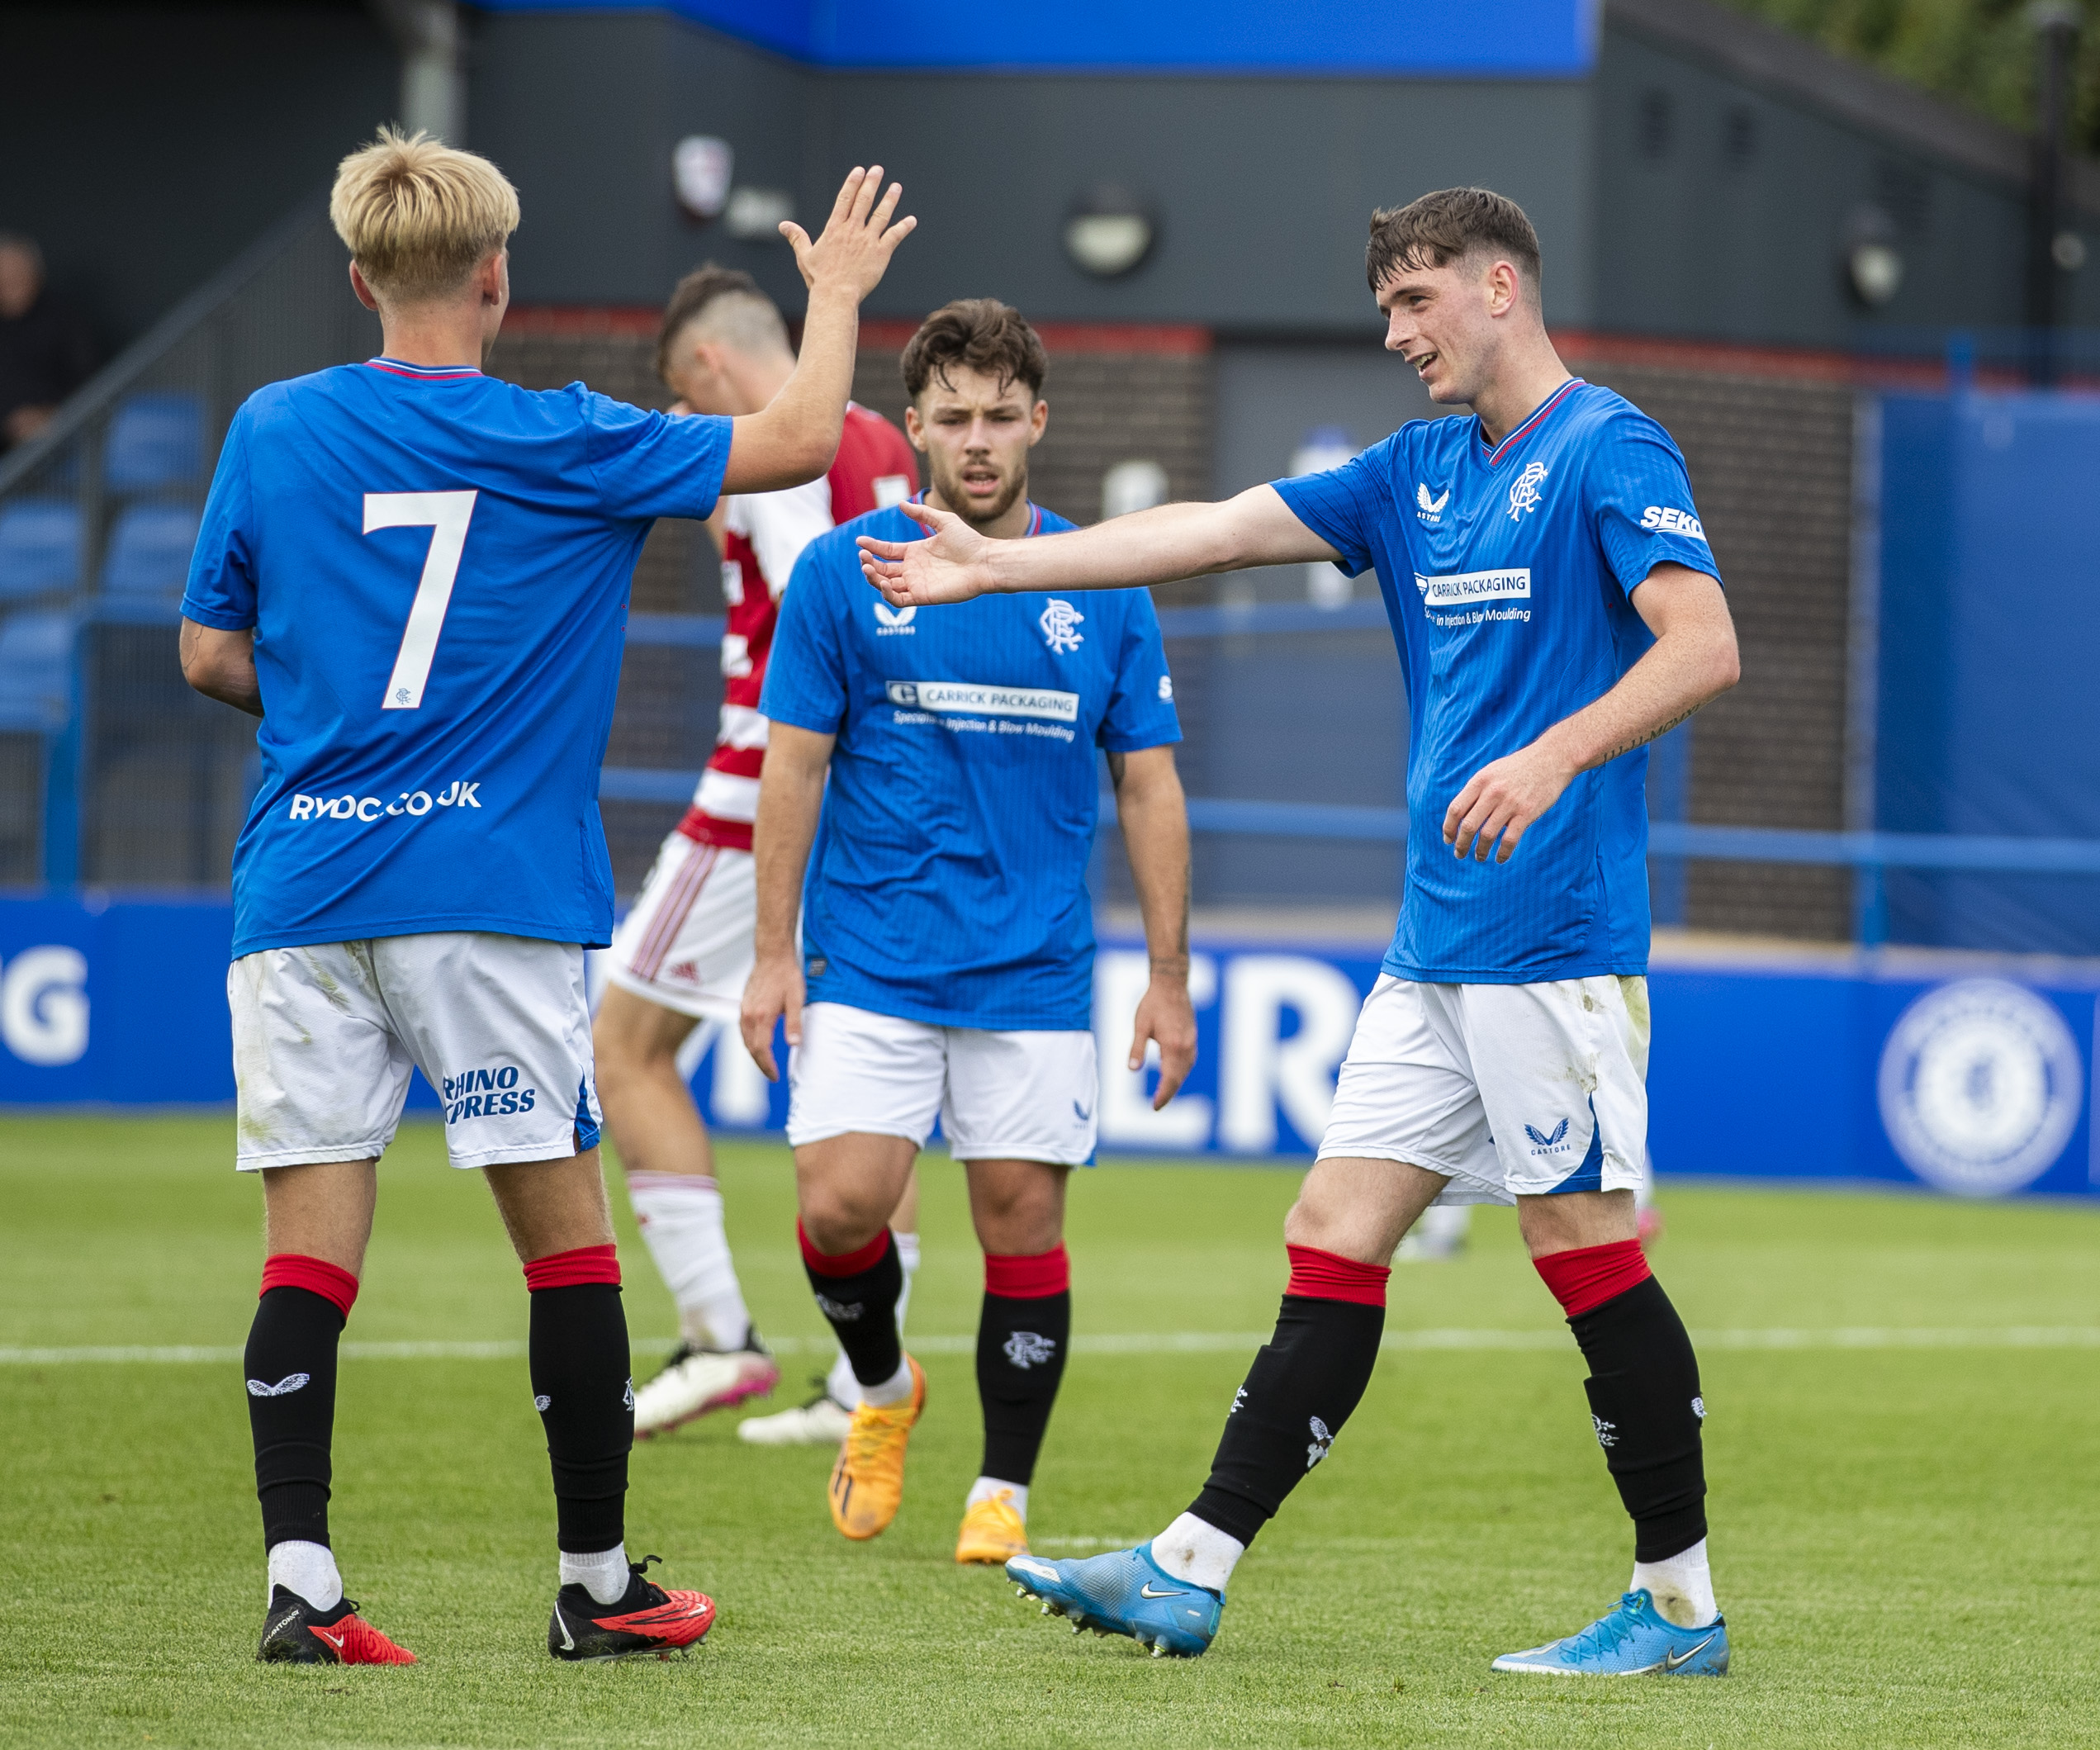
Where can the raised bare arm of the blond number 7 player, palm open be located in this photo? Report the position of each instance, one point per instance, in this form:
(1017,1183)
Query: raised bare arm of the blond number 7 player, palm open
(795,436)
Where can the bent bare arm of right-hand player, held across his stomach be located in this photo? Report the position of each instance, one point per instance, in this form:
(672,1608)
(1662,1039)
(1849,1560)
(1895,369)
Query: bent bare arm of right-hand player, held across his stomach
(1694,661)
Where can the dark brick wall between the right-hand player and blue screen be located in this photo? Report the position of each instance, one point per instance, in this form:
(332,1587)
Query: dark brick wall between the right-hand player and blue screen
(1771,463)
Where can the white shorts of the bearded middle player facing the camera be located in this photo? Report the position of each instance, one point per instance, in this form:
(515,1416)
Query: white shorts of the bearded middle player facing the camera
(1026,1096)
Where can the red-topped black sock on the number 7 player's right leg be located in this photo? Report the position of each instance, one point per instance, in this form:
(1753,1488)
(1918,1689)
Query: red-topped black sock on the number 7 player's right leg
(585,1396)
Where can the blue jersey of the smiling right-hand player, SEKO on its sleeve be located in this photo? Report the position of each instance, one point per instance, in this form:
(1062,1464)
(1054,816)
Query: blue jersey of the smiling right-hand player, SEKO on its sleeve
(1509,579)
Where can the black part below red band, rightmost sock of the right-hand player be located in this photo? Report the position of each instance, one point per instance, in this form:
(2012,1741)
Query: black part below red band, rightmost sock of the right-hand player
(1647,1409)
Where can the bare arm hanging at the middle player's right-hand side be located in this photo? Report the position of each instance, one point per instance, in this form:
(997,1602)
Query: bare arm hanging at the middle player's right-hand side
(1156,835)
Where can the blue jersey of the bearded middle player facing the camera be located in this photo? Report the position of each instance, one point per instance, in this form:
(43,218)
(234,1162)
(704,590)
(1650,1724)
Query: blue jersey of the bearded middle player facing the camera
(948,879)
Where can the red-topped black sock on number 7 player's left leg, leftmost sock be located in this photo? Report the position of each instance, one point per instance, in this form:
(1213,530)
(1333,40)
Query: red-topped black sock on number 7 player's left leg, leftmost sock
(291,1371)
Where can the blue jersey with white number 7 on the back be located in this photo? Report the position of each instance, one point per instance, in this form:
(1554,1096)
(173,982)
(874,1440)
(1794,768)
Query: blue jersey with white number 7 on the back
(436,568)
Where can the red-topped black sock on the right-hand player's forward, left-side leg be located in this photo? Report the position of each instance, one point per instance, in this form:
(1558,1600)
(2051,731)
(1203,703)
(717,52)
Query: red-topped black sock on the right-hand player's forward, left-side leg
(1299,1394)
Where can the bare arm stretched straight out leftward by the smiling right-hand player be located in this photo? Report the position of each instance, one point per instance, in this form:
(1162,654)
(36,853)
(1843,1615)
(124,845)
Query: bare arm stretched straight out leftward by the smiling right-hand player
(1148,547)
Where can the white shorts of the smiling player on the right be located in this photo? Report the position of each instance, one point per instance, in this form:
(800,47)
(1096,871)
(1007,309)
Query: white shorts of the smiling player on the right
(1511,1091)
